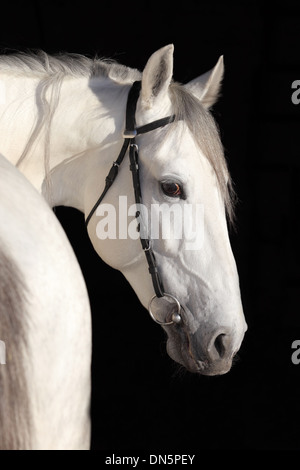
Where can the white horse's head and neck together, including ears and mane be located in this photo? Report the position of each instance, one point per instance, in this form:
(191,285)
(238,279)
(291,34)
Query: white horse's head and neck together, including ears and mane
(62,122)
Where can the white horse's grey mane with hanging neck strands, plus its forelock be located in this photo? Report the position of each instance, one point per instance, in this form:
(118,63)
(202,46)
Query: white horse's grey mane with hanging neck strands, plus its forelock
(53,69)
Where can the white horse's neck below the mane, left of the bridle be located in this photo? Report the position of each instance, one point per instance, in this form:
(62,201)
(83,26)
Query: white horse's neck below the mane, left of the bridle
(73,135)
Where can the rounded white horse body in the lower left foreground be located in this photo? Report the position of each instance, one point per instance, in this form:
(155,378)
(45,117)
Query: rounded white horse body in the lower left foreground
(45,325)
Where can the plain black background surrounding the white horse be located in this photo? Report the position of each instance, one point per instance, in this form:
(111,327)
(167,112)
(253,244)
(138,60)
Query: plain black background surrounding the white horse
(140,399)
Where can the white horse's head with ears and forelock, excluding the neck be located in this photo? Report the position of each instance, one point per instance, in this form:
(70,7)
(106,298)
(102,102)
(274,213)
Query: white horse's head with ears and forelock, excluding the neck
(186,194)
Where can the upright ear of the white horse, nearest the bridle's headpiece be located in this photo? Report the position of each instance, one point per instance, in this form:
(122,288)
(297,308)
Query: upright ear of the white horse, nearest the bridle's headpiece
(157,75)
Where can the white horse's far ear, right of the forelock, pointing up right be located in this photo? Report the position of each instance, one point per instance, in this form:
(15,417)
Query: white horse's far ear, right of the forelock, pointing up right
(207,87)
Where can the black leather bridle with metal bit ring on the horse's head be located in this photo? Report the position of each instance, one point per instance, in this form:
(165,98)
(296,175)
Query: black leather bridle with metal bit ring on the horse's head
(131,131)
